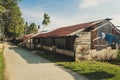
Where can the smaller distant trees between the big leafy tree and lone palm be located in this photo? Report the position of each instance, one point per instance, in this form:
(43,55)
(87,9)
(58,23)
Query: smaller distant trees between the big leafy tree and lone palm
(32,28)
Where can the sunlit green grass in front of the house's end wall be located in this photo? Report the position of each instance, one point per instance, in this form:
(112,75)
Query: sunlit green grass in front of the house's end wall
(94,70)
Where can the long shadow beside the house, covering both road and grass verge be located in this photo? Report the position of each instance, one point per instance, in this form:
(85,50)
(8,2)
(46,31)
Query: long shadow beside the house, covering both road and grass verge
(35,57)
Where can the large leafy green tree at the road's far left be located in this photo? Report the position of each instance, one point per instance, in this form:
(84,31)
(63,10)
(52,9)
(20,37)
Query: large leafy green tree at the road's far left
(12,21)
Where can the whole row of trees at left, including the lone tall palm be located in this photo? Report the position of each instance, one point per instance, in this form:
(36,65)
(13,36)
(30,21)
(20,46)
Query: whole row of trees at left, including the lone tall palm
(12,24)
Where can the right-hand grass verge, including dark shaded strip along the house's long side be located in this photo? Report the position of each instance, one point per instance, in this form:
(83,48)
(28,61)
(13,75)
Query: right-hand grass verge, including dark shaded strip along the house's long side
(91,69)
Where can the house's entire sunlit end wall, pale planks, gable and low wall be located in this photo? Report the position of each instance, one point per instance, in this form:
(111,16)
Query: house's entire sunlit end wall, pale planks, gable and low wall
(88,49)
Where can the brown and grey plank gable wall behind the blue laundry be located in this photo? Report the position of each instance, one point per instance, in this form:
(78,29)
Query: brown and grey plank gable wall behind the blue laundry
(100,43)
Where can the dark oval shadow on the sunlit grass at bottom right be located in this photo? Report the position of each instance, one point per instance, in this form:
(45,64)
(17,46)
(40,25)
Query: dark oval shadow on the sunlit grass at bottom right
(100,75)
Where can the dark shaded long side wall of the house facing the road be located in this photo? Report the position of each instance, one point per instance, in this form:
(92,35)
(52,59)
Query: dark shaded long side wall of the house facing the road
(61,45)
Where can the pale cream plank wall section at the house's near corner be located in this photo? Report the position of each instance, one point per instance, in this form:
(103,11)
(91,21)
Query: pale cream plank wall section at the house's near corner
(82,44)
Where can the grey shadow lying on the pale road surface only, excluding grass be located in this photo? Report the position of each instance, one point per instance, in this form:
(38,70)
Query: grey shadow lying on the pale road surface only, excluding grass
(28,56)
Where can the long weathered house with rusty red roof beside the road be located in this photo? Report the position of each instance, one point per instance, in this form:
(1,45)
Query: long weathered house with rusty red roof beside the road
(82,41)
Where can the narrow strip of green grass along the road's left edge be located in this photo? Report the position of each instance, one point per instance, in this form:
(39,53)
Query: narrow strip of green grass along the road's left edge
(1,66)
